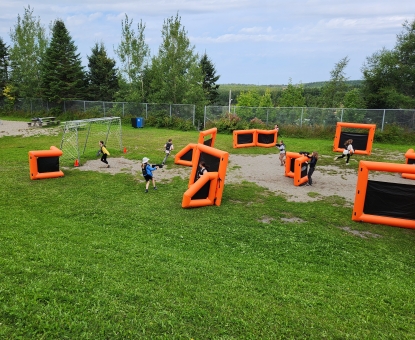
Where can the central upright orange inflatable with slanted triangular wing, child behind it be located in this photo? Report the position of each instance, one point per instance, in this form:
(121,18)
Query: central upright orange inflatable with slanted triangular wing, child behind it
(208,189)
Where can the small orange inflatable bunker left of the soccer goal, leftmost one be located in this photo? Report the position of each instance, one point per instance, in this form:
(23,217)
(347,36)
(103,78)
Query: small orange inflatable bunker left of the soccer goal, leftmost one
(45,163)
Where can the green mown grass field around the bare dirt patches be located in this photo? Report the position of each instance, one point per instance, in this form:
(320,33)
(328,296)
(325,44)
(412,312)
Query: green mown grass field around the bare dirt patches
(90,256)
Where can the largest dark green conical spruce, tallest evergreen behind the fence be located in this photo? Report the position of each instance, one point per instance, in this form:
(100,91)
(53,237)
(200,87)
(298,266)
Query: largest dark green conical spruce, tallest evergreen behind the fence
(63,76)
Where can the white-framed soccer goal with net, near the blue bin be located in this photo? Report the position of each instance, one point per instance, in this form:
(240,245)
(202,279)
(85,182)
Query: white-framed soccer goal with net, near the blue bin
(81,135)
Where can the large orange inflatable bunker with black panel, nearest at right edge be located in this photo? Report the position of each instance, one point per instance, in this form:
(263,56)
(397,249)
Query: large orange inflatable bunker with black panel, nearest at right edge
(386,203)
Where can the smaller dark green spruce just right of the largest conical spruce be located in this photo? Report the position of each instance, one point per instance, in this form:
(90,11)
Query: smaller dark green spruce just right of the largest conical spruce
(102,75)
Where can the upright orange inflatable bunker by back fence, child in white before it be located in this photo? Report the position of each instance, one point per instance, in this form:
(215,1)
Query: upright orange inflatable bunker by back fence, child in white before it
(362,142)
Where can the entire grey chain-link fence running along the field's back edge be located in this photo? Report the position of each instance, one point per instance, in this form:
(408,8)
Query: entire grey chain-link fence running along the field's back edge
(301,116)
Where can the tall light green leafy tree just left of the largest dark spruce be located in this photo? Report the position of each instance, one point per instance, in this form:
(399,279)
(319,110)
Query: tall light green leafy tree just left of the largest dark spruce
(29,43)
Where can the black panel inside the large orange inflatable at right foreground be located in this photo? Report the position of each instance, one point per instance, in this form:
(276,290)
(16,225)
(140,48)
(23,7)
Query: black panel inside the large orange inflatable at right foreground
(390,199)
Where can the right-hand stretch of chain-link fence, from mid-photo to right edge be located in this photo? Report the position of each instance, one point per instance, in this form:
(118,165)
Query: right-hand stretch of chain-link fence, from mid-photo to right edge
(303,116)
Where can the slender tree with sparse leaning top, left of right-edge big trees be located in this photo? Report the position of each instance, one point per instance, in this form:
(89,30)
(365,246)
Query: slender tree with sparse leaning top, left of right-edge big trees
(332,93)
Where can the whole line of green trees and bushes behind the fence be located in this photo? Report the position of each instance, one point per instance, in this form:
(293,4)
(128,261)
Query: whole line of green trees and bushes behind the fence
(35,66)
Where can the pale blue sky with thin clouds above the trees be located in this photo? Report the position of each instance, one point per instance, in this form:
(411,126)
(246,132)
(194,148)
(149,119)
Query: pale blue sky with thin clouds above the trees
(268,42)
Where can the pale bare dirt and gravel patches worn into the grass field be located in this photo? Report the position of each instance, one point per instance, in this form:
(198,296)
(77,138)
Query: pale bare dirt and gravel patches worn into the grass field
(264,170)
